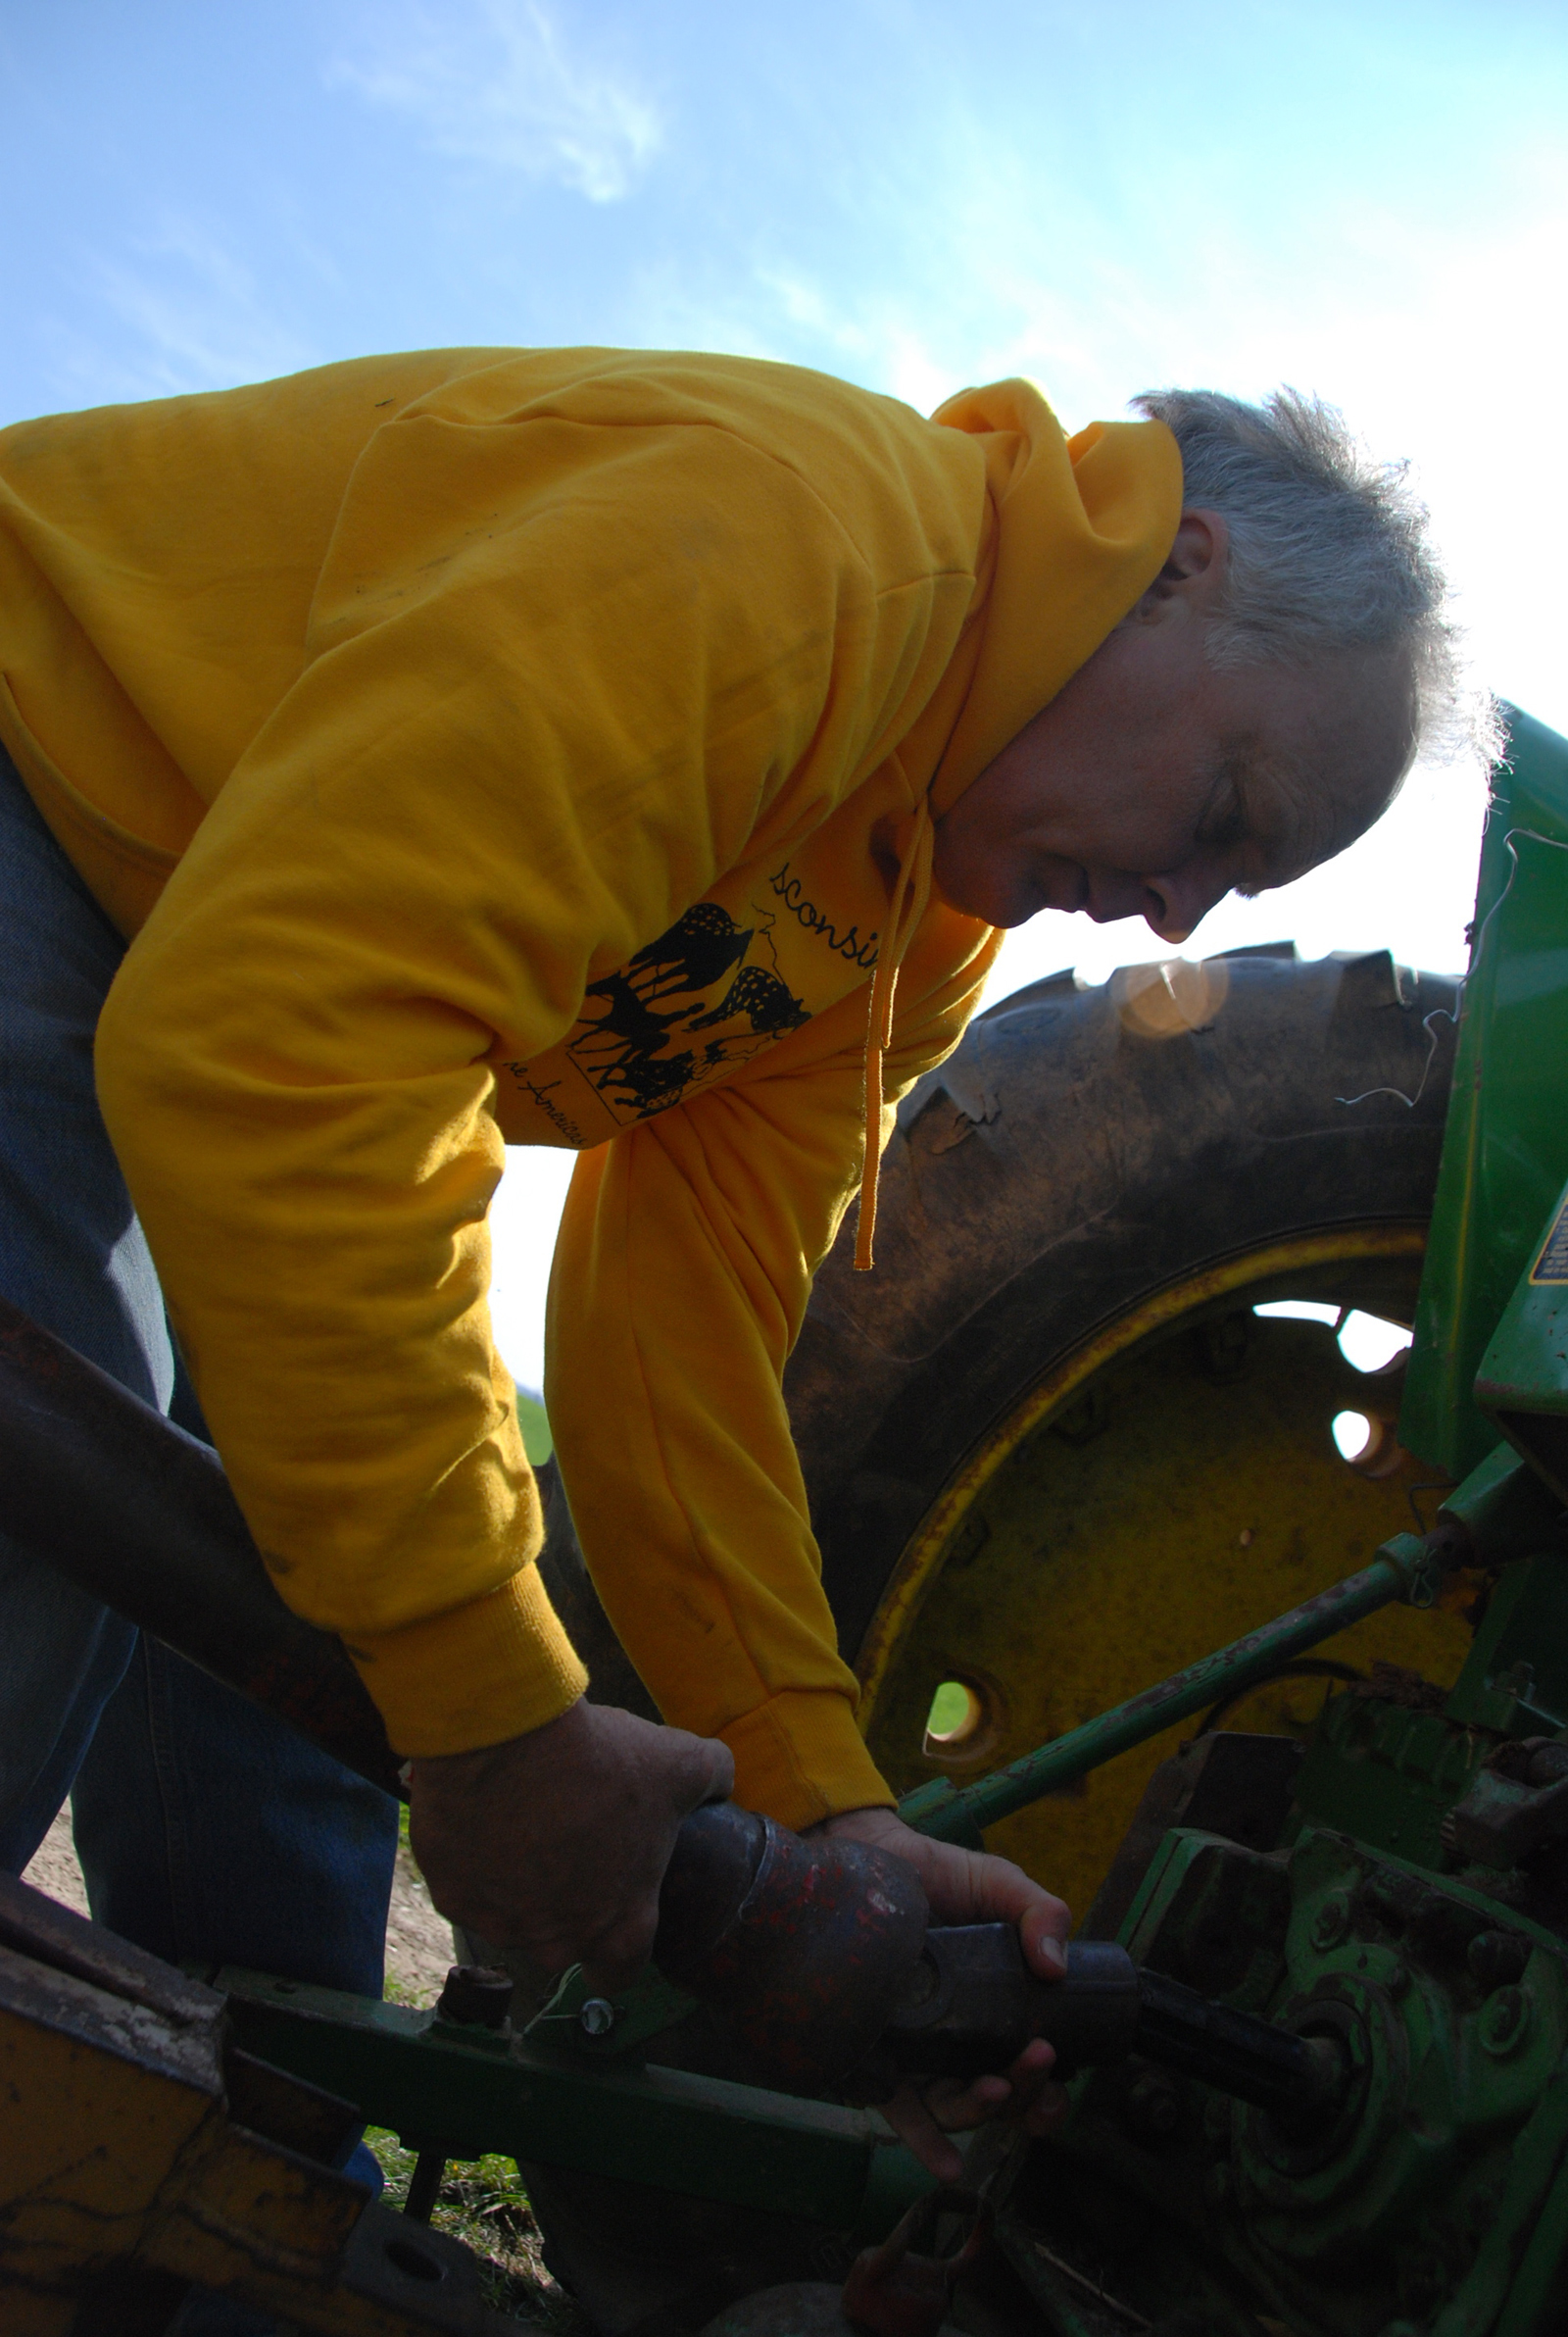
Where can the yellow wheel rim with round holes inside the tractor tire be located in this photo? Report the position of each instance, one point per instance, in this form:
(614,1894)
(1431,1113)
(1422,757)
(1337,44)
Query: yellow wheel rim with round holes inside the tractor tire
(1156,1495)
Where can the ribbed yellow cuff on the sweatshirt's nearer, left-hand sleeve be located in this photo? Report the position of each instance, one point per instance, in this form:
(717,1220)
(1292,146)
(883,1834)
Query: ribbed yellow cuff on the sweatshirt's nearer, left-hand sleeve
(473,1677)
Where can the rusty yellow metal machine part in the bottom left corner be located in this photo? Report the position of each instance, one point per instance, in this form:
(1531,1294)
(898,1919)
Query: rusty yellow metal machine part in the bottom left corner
(139,2158)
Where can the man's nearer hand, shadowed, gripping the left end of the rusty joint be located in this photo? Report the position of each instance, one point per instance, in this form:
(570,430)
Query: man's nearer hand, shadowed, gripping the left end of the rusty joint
(557,1843)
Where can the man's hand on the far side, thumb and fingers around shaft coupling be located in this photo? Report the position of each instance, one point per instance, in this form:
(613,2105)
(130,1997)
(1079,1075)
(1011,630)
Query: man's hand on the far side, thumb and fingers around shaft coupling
(971,1887)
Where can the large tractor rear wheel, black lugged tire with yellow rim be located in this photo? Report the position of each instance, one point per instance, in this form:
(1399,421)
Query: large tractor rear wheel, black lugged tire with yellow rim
(1050,1448)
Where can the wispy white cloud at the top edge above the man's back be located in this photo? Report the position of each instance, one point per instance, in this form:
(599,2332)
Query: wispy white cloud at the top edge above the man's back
(499,85)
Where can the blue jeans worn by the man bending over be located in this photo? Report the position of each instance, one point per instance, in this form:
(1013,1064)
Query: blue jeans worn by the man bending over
(209,1831)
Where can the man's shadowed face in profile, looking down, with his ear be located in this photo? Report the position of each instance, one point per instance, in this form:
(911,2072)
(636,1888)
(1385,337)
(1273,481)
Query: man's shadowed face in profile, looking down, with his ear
(1156,784)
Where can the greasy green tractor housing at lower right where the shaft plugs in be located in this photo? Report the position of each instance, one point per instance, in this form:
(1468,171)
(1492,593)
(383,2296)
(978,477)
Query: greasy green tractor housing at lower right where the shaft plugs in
(1452,2191)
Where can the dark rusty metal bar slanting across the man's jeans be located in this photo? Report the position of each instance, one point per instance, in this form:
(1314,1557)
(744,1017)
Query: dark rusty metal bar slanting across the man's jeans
(141,1518)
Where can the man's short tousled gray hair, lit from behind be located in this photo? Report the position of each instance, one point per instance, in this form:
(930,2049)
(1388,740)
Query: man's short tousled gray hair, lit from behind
(1328,550)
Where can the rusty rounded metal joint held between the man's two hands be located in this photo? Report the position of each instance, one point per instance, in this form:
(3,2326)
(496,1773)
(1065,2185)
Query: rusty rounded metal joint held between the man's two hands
(798,1946)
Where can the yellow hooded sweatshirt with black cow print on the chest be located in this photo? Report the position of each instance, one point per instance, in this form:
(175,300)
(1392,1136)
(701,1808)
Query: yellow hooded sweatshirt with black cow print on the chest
(494,747)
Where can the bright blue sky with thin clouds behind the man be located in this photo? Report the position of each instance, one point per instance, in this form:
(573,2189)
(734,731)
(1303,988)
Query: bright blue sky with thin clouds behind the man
(1371,202)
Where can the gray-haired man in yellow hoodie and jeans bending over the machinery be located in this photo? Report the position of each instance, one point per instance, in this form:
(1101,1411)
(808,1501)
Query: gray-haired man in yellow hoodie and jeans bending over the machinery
(634,754)
